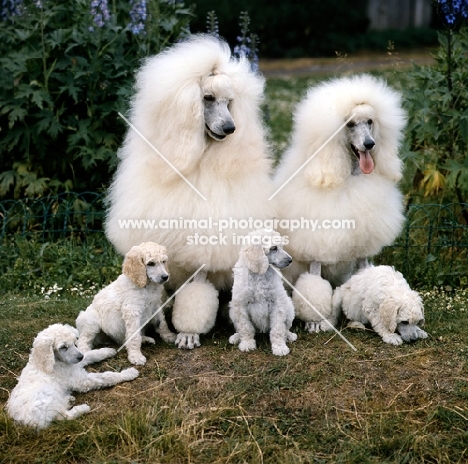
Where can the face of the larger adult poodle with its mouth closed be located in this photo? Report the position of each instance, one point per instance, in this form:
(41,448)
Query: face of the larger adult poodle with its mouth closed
(218,94)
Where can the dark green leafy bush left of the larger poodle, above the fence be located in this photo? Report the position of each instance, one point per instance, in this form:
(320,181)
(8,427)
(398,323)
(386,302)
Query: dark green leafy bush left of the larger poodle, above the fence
(62,81)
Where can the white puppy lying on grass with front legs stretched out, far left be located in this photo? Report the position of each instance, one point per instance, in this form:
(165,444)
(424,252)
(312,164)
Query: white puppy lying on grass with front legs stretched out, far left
(55,369)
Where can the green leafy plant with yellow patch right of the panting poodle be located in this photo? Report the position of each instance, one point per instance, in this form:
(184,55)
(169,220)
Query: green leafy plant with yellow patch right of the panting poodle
(437,103)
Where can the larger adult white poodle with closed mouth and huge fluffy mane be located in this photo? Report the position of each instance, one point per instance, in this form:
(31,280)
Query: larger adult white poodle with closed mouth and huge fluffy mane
(200,109)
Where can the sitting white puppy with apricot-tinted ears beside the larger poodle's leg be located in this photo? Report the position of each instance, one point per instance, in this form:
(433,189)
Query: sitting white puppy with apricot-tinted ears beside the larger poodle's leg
(122,309)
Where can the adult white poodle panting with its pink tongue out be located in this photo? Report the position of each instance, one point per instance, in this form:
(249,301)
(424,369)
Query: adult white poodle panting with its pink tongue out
(341,172)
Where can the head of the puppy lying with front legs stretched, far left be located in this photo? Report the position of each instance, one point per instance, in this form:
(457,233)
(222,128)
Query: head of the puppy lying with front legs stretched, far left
(55,344)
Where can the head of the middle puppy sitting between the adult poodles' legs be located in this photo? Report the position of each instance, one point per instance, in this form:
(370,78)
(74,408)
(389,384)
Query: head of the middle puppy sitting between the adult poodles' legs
(264,248)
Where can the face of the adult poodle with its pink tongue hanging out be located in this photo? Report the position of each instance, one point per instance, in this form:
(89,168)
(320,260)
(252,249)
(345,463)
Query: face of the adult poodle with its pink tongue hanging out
(360,138)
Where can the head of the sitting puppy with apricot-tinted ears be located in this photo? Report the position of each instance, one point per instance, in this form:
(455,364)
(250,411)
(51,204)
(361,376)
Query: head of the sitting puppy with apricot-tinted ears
(146,263)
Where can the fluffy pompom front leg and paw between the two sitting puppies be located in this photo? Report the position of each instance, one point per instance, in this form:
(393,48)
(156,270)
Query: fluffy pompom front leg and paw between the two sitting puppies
(194,313)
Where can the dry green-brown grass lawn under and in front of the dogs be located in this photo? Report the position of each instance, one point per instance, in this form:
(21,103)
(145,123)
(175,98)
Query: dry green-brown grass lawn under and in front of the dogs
(322,403)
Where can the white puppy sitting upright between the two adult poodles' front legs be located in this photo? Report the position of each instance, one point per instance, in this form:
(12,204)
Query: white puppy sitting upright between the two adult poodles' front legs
(259,300)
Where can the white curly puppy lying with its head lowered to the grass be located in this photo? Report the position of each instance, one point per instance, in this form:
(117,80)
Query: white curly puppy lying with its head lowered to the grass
(381,297)
